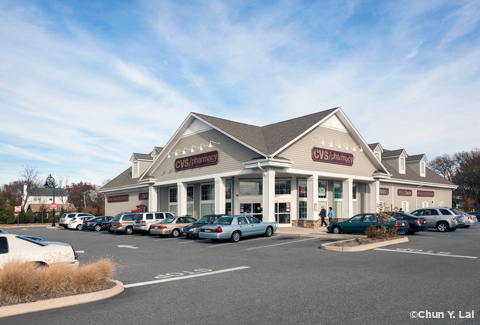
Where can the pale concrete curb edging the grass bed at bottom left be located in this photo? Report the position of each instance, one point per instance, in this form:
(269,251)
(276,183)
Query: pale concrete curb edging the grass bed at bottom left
(61,302)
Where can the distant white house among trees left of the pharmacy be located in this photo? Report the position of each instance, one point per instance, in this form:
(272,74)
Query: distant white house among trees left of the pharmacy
(44,196)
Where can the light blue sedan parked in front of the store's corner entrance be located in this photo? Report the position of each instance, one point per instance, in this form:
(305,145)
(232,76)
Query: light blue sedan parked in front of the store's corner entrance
(236,227)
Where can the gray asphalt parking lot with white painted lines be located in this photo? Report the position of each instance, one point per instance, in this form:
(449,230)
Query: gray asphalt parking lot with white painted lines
(280,279)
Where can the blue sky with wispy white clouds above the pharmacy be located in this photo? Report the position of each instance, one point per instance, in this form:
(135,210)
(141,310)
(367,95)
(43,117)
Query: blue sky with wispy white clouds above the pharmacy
(84,84)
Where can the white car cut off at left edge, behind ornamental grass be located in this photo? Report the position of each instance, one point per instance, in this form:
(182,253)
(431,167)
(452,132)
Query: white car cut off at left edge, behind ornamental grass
(18,248)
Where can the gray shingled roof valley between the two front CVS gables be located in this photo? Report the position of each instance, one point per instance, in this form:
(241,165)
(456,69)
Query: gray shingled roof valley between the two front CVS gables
(267,139)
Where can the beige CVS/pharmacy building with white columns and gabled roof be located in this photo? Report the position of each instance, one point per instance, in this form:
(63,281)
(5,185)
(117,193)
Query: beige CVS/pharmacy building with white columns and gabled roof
(281,172)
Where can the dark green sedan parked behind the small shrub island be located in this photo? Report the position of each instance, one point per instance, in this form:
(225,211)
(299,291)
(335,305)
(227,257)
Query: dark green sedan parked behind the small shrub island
(360,222)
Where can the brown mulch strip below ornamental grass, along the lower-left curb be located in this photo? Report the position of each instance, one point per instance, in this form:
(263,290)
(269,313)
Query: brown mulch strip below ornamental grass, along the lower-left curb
(7,300)
